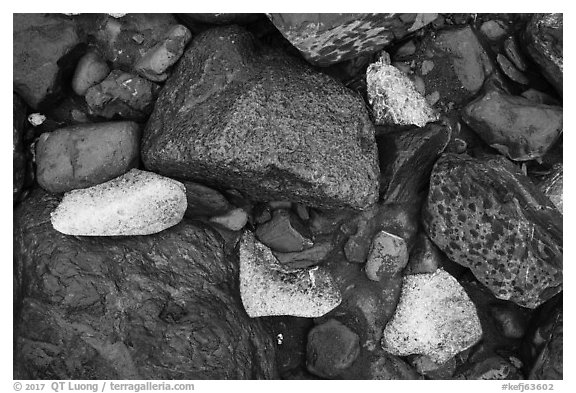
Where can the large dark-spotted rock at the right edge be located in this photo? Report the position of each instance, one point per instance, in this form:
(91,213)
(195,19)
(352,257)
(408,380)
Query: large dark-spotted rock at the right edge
(487,216)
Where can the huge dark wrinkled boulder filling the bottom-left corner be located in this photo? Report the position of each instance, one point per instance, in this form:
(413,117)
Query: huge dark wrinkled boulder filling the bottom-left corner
(163,306)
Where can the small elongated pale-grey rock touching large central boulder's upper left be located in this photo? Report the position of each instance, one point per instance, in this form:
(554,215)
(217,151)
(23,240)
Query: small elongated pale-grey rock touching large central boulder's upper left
(155,63)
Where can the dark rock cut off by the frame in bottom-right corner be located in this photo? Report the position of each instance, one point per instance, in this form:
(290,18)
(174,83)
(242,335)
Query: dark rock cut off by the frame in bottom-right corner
(549,363)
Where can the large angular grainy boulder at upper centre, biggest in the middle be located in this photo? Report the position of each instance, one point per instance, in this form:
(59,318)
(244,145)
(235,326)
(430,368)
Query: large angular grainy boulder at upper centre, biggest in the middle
(262,123)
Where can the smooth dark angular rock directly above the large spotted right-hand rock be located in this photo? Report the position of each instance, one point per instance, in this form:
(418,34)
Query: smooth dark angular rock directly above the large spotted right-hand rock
(513,125)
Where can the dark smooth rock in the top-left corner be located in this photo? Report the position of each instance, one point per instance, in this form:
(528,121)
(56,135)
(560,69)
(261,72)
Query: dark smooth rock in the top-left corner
(40,41)
